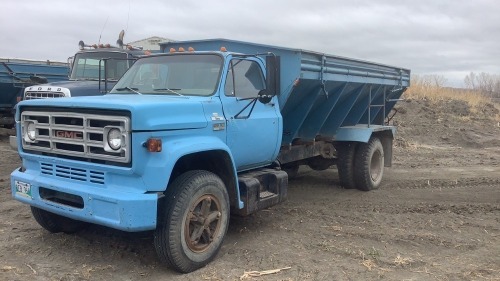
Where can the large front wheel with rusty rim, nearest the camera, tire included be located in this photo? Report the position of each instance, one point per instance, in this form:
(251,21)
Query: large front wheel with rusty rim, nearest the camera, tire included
(195,221)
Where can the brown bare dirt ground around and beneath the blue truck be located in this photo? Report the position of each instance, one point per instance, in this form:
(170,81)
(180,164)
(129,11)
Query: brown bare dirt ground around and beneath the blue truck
(435,217)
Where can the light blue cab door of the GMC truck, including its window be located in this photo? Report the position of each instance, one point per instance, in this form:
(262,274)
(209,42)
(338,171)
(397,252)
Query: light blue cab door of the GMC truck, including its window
(252,127)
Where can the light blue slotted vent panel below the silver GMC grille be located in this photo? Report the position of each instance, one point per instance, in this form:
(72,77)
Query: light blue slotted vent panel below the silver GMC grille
(68,172)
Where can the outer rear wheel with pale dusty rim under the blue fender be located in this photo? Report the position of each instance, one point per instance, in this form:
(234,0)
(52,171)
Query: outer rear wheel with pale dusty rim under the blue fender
(369,165)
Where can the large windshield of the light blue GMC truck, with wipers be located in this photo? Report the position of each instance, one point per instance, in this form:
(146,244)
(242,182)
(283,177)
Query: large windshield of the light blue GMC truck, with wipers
(181,74)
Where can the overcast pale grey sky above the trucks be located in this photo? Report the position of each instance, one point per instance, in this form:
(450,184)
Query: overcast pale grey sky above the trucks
(448,38)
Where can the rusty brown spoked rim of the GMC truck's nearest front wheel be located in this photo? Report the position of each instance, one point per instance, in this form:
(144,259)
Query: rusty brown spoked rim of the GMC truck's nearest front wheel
(203,223)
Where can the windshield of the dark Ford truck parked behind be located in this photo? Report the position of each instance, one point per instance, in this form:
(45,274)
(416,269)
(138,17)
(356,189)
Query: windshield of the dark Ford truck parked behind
(86,65)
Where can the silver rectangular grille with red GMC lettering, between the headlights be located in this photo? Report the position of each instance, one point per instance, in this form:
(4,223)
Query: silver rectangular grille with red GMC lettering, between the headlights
(75,134)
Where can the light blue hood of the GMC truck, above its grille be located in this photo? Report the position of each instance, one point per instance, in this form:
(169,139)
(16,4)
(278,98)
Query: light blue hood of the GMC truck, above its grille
(148,113)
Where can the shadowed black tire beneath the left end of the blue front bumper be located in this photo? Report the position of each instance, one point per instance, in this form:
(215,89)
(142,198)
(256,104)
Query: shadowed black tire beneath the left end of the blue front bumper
(56,223)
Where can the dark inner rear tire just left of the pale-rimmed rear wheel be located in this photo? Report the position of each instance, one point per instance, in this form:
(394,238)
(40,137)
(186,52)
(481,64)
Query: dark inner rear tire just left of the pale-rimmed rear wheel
(345,164)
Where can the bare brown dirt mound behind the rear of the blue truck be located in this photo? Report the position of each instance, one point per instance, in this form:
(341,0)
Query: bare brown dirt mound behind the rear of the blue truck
(446,123)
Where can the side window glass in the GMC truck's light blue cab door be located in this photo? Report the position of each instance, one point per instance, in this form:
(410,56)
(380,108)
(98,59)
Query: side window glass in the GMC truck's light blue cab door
(244,79)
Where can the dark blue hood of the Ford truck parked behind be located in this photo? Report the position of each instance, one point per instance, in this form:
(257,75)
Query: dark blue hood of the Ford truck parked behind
(78,87)
